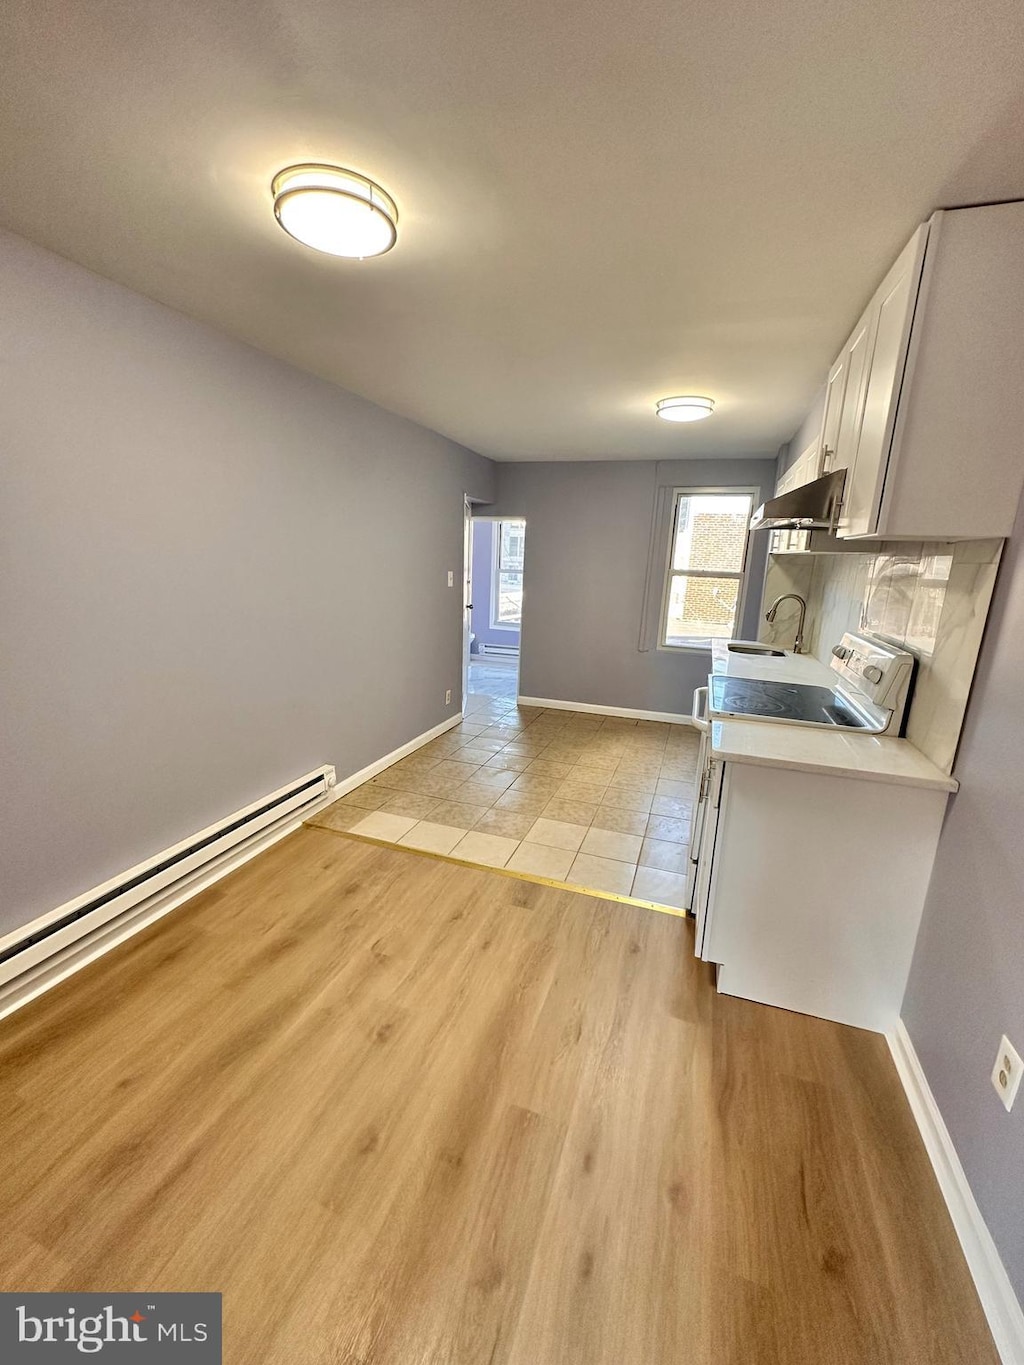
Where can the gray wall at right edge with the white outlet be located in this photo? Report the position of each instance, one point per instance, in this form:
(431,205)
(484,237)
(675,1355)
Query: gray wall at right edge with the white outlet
(967,983)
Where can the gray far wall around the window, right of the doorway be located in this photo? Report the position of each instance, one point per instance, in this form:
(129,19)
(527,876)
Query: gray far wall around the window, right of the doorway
(588,543)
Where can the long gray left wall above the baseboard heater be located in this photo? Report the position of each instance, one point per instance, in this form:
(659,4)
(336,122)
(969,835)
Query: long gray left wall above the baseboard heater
(218,574)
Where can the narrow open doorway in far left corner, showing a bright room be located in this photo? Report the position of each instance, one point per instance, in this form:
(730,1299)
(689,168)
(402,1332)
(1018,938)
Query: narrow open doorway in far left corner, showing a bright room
(495,558)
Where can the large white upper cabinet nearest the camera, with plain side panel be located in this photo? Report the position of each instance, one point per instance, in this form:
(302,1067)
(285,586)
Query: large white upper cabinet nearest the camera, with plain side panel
(925,406)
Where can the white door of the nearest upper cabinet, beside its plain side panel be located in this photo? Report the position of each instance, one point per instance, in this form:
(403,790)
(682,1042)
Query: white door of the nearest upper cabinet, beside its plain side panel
(892,316)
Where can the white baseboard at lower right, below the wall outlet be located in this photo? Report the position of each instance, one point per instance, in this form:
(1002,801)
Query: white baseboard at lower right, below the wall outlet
(993,1285)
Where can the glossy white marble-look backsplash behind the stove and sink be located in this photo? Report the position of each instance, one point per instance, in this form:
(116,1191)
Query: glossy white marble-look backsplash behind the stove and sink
(929,599)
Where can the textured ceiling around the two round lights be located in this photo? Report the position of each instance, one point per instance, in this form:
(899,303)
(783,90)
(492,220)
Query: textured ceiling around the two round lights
(600,204)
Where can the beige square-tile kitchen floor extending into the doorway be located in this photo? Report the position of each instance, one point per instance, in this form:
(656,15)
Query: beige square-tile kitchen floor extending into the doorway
(600,803)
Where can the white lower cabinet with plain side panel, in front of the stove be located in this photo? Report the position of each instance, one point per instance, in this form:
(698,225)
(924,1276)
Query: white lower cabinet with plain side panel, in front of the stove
(810,889)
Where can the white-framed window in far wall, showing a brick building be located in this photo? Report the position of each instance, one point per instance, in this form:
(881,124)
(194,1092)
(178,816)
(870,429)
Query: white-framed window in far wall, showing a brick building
(708,554)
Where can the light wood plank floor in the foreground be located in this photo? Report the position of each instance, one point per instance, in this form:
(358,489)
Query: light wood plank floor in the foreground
(408,1113)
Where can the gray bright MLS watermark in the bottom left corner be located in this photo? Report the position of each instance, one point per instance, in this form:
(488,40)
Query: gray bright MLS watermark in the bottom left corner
(166,1329)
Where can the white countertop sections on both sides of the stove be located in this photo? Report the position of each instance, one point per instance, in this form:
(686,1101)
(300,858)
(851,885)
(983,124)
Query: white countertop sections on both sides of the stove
(806,749)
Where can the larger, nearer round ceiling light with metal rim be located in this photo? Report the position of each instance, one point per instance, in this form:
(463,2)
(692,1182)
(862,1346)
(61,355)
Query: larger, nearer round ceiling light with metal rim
(335,211)
